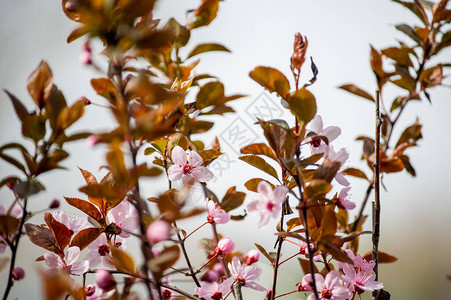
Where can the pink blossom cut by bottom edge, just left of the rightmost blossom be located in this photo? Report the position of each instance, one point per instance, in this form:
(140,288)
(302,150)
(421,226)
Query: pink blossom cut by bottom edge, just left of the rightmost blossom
(330,288)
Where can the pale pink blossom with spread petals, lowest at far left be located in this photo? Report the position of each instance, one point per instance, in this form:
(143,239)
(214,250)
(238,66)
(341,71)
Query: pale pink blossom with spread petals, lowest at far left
(69,263)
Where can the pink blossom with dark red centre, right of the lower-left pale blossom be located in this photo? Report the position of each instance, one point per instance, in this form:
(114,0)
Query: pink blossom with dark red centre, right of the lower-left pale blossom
(101,251)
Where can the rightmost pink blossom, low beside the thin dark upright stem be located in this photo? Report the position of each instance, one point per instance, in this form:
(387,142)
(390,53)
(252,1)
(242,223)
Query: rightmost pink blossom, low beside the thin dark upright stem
(360,276)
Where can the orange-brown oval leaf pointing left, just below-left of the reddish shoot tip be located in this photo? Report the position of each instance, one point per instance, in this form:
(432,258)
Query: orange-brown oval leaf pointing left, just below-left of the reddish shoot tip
(272,80)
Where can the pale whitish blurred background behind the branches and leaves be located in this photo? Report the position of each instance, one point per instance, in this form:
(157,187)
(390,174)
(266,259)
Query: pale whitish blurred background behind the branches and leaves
(415,211)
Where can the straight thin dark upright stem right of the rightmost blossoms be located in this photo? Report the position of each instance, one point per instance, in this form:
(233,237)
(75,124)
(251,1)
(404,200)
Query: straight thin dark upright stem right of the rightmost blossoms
(376,203)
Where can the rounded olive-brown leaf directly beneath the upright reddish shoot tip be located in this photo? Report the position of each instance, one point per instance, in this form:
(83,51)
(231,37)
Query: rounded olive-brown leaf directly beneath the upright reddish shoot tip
(303,105)
